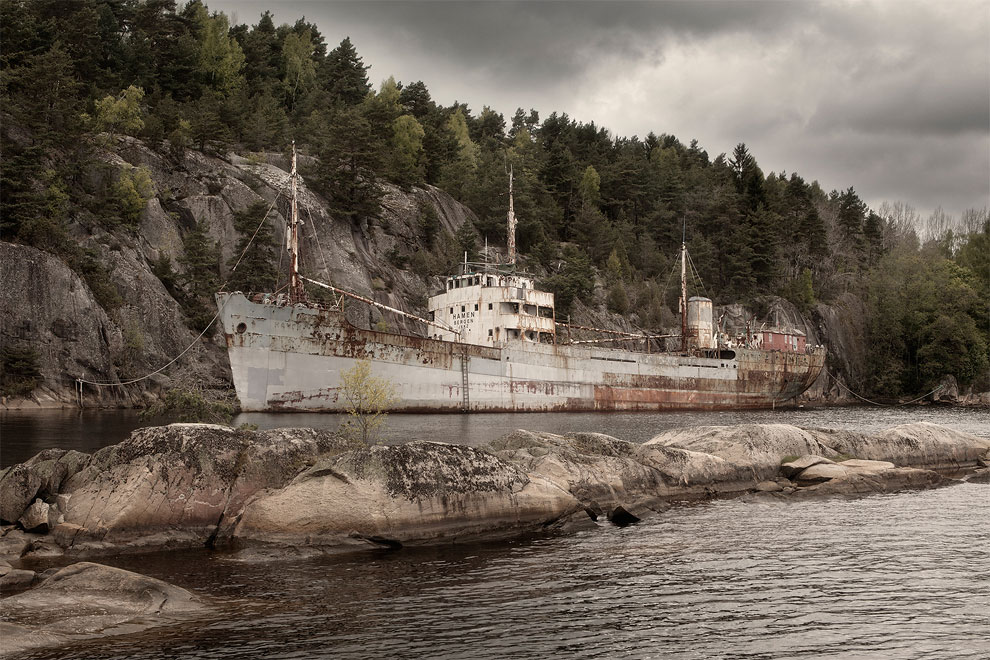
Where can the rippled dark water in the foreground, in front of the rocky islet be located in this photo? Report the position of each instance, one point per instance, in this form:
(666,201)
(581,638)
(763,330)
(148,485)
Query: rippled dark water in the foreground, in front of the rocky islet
(897,576)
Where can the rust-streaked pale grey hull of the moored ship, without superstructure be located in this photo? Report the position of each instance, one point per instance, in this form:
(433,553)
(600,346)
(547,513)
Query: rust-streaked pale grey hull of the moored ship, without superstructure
(289,358)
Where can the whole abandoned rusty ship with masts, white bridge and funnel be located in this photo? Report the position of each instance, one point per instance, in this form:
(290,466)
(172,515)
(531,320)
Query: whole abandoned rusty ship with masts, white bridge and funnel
(494,344)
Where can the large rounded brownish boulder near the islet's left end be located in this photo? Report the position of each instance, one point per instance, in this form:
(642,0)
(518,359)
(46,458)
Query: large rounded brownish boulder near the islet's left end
(176,486)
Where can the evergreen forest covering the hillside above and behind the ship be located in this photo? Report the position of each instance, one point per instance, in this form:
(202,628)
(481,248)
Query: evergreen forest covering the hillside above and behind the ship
(594,209)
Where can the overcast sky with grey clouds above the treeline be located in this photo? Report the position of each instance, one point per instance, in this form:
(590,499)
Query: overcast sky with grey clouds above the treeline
(891,97)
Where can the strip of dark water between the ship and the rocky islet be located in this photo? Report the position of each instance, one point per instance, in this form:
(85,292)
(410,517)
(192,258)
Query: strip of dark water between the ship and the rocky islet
(23,434)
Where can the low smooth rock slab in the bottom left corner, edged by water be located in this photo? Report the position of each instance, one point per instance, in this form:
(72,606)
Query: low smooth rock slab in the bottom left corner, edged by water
(86,600)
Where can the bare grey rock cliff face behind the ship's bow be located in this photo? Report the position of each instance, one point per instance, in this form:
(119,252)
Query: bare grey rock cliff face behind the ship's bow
(49,308)
